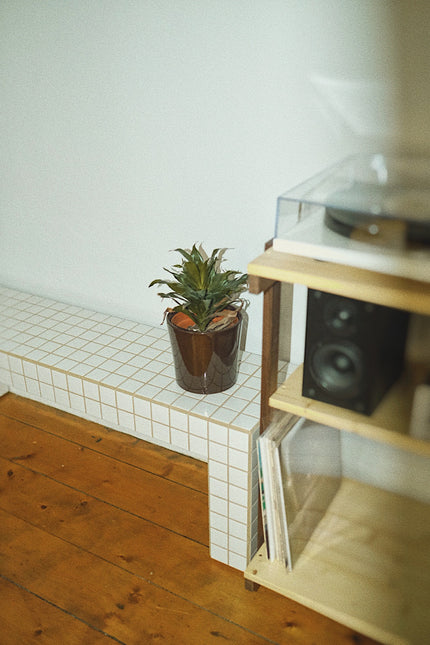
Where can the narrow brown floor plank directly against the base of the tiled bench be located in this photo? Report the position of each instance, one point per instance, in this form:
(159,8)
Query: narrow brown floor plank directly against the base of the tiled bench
(124,447)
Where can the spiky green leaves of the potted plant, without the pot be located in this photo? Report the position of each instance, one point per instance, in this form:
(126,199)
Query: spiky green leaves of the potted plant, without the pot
(202,291)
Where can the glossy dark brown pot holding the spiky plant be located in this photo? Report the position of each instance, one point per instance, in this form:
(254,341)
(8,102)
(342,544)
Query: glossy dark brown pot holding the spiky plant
(205,362)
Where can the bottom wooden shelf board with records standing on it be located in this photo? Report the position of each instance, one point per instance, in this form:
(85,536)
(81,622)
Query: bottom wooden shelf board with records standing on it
(363,566)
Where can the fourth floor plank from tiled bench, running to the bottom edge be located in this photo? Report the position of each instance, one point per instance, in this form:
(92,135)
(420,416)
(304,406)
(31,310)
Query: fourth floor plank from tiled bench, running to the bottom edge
(104,596)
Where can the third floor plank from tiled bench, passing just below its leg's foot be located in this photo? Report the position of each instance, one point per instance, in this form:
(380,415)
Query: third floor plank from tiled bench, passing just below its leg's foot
(170,561)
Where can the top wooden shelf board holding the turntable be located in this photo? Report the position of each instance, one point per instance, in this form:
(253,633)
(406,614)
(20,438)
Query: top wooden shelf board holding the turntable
(379,288)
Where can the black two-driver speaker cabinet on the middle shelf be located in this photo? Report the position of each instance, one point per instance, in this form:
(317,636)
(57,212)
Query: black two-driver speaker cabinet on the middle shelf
(354,351)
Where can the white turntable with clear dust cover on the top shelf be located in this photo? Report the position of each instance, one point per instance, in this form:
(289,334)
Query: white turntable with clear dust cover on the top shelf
(368,211)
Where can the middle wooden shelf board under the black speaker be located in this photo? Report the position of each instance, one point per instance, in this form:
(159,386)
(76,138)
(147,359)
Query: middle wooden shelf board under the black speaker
(389,423)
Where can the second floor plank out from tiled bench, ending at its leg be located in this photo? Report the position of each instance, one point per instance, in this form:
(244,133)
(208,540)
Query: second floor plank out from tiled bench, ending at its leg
(150,496)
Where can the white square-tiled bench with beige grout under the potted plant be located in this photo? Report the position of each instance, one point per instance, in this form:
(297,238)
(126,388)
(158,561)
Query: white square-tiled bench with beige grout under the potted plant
(119,373)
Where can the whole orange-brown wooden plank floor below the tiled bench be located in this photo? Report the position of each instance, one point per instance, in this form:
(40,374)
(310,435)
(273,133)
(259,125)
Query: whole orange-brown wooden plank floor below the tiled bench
(104,540)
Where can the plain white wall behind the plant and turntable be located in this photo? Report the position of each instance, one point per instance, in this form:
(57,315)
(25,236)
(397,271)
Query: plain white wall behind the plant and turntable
(131,127)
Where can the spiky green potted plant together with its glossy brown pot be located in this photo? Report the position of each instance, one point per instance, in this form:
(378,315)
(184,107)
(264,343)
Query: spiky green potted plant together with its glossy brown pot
(205,323)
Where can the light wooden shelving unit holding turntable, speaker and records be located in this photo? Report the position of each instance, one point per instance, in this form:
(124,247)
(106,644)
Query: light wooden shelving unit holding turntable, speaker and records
(367,564)
